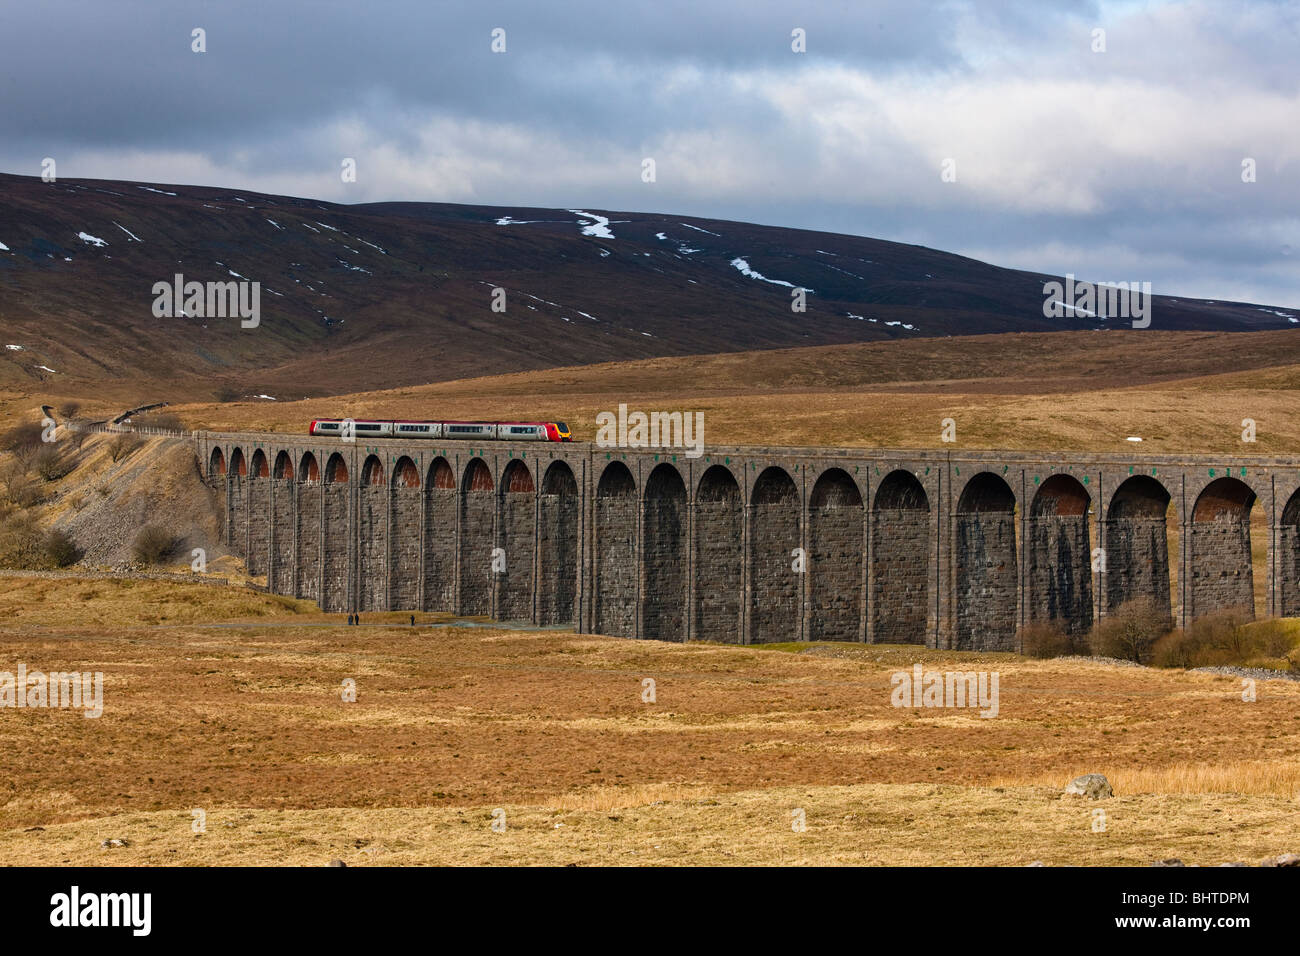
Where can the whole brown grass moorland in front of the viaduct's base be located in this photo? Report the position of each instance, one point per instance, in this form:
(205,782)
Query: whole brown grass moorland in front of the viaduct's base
(231,702)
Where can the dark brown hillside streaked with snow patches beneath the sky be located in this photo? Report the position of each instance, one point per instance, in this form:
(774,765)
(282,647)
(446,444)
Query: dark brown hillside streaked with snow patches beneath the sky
(365,297)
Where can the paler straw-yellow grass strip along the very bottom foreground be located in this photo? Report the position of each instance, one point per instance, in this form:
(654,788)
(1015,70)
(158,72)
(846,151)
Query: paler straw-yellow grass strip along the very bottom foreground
(891,825)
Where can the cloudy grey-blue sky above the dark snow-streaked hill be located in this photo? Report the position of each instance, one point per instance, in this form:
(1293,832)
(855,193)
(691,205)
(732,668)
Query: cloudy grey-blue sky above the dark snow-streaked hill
(1123,165)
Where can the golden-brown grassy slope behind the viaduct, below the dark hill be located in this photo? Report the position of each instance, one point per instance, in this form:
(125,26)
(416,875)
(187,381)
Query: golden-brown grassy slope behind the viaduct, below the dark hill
(1181,392)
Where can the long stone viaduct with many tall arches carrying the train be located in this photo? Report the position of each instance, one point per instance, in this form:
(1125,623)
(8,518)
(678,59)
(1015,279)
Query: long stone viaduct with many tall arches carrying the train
(951,550)
